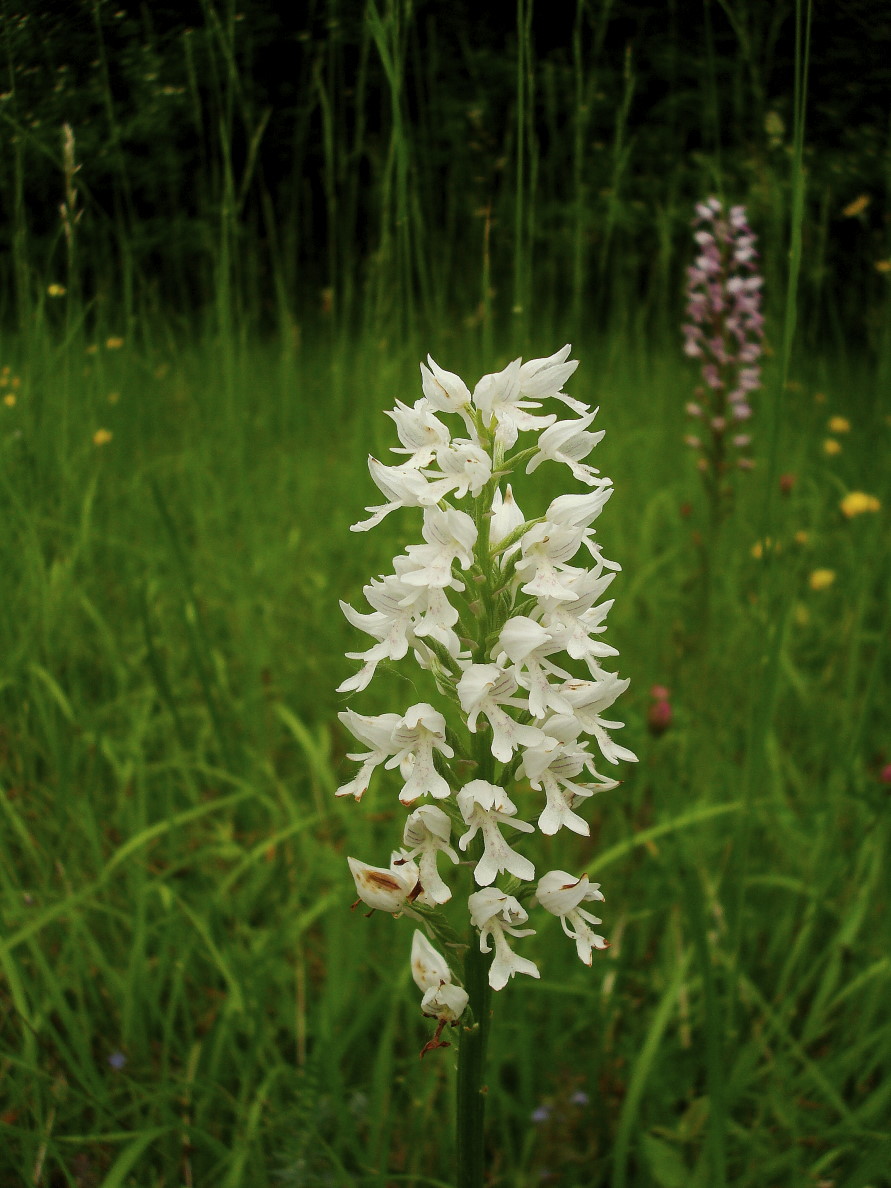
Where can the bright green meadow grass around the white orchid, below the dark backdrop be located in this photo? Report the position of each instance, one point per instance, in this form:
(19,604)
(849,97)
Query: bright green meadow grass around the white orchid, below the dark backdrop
(173,873)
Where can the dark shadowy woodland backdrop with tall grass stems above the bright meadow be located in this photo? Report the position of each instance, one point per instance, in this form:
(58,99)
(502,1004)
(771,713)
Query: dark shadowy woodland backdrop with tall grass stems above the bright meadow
(353,161)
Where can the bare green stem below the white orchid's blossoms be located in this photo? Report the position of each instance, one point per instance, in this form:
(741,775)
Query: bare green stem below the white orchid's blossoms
(472,1069)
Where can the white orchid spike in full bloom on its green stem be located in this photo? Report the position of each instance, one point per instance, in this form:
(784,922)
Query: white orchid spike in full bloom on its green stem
(495,609)
